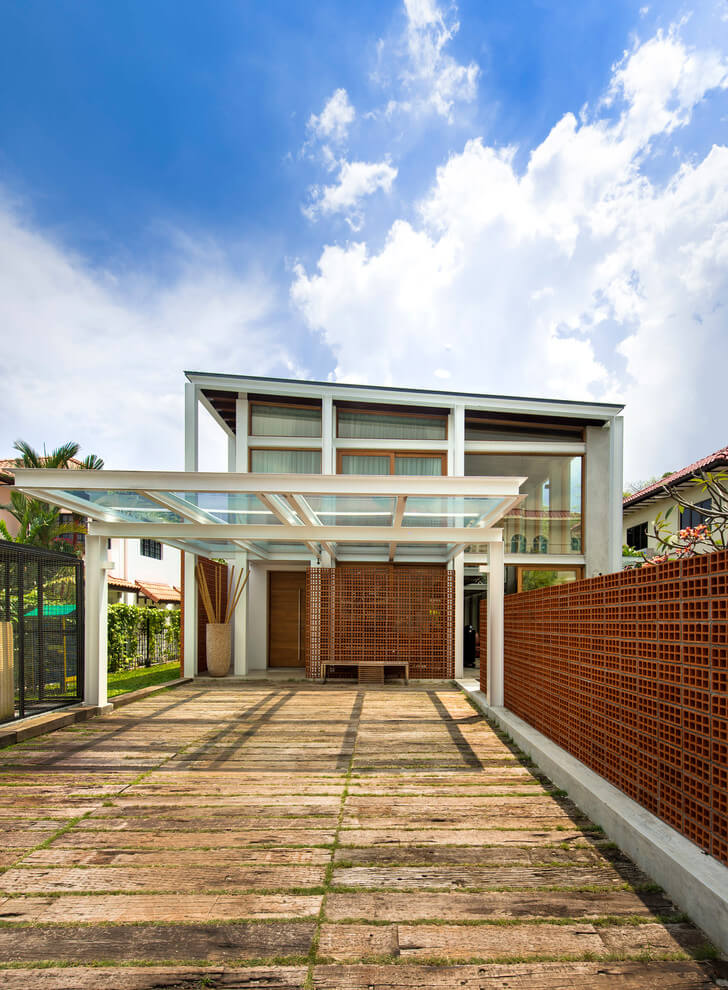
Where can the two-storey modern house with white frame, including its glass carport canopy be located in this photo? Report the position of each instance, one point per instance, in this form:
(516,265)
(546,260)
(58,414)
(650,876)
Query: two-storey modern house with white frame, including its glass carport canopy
(371,519)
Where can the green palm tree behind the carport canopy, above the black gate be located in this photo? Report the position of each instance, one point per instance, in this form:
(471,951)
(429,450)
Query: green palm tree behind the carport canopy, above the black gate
(39,522)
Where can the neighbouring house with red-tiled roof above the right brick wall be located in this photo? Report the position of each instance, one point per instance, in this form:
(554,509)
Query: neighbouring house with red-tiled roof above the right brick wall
(640,510)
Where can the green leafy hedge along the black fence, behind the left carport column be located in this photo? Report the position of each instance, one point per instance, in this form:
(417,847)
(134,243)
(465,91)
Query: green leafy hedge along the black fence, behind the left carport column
(125,622)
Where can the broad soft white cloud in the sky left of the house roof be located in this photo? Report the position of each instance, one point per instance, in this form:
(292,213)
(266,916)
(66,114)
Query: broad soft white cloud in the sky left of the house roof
(97,357)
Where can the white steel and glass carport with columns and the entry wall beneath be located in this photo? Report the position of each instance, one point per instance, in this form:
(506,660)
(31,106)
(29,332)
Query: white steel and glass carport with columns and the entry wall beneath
(342,568)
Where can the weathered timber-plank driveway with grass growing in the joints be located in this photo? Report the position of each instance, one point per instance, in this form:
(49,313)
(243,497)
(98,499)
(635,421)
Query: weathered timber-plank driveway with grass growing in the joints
(287,836)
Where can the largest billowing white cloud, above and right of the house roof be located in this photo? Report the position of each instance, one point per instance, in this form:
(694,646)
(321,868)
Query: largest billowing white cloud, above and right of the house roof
(579,278)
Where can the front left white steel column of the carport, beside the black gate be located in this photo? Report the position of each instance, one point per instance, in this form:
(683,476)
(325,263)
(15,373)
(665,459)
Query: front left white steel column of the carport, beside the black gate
(96,619)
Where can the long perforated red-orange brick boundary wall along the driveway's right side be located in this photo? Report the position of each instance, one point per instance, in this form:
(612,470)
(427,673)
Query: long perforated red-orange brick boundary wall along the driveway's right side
(629,673)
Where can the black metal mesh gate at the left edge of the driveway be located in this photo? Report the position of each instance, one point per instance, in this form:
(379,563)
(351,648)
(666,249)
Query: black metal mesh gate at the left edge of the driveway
(41,630)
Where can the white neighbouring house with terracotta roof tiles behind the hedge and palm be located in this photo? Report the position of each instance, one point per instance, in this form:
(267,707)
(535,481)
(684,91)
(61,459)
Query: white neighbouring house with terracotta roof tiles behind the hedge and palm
(144,571)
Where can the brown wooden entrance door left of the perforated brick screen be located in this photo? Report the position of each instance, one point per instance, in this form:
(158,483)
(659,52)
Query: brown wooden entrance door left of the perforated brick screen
(286,618)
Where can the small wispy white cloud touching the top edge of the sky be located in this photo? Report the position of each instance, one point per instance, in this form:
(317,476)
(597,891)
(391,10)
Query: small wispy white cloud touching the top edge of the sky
(434,79)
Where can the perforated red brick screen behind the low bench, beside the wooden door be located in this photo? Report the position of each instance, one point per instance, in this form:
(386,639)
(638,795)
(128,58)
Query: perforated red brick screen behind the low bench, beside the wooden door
(387,612)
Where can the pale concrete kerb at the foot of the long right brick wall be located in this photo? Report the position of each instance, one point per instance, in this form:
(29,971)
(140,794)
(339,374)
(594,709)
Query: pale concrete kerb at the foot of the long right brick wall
(695,881)
